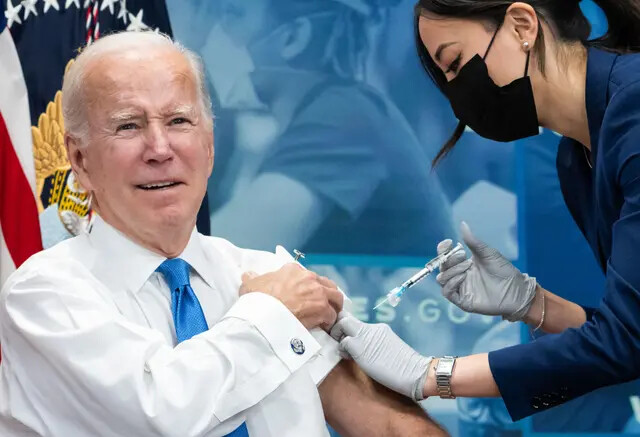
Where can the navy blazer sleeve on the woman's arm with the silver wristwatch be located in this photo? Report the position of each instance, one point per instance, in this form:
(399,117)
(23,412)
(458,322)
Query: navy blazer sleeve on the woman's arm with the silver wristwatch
(606,349)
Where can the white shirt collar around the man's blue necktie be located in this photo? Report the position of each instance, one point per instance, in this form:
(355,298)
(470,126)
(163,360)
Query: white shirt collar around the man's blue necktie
(126,265)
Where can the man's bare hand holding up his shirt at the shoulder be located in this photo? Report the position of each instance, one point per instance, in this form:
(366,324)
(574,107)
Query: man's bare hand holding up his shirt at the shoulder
(315,300)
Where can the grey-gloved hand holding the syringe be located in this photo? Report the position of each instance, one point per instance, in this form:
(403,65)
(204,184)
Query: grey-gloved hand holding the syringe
(487,283)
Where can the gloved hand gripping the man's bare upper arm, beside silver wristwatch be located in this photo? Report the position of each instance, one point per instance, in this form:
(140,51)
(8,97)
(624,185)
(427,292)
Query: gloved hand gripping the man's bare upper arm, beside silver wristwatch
(382,355)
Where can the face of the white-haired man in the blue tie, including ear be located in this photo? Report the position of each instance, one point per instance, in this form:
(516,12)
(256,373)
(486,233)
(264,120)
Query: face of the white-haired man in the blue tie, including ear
(150,147)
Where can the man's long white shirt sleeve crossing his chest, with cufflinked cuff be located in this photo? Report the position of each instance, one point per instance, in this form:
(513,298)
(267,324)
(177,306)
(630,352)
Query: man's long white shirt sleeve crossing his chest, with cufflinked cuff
(86,370)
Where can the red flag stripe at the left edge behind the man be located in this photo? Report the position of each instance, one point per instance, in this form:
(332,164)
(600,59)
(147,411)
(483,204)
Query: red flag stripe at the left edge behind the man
(18,210)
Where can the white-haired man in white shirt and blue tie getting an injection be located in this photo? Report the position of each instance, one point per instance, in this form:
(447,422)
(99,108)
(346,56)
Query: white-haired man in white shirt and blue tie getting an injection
(145,327)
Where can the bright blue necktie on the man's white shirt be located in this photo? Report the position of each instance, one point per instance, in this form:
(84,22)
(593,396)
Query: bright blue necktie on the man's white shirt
(188,317)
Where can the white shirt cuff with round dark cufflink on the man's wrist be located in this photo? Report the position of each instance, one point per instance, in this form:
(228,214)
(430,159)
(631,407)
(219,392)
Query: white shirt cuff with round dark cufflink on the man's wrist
(289,339)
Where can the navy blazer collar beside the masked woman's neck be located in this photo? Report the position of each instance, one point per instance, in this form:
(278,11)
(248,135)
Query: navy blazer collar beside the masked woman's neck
(599,67)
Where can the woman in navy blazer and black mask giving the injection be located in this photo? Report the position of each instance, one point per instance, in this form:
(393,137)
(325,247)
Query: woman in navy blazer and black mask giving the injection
(508,68)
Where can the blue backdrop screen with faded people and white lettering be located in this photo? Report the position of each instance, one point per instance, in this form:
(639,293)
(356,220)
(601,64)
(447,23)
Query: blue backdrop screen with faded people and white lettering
(325,128)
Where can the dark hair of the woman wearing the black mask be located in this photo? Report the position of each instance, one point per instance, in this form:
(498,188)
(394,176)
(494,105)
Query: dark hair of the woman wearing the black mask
(564,17)
